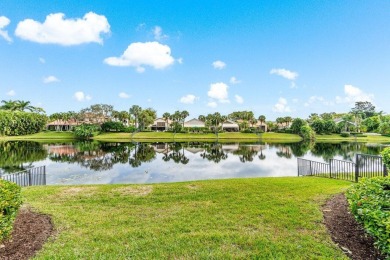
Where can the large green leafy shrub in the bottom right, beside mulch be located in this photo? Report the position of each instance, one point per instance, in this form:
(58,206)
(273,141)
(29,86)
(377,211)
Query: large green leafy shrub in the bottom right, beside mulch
(369,201)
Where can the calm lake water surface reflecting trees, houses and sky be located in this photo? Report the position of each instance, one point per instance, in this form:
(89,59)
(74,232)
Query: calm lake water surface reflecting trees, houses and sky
(103,163)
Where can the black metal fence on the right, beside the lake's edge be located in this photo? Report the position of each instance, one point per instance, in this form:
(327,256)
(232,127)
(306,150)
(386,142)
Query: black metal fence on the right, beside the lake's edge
(366,166)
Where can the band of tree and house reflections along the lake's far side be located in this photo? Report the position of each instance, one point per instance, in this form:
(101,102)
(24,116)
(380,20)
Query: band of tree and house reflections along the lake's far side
(97,156)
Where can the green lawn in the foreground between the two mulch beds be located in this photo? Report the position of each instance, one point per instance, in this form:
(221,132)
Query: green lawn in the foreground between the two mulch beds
(262,218)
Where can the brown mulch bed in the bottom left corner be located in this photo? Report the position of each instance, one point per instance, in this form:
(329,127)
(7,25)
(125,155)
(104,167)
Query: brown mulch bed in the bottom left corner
(31,230)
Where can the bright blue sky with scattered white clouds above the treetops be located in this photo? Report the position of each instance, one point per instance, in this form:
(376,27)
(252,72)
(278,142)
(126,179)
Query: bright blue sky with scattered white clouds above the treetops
(277,58)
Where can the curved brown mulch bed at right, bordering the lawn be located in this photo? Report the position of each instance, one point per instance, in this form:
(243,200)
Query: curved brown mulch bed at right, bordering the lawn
(346,232)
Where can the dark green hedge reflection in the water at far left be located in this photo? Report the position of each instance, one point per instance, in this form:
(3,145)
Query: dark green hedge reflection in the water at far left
(20,155)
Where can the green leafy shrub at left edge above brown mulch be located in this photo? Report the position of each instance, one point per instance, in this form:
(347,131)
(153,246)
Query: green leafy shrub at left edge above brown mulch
(10,201)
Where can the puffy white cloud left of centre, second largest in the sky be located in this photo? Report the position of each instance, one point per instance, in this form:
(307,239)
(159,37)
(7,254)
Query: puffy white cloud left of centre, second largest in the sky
(141,54)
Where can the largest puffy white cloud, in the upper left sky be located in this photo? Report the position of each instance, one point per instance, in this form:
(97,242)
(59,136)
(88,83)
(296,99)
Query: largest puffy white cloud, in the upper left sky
(58,30)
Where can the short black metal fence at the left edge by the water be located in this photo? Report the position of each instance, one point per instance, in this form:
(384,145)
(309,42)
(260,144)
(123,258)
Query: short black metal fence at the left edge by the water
(30,177)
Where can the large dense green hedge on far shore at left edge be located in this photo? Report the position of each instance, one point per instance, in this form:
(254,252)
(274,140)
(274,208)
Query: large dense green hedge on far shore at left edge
(14,123)
